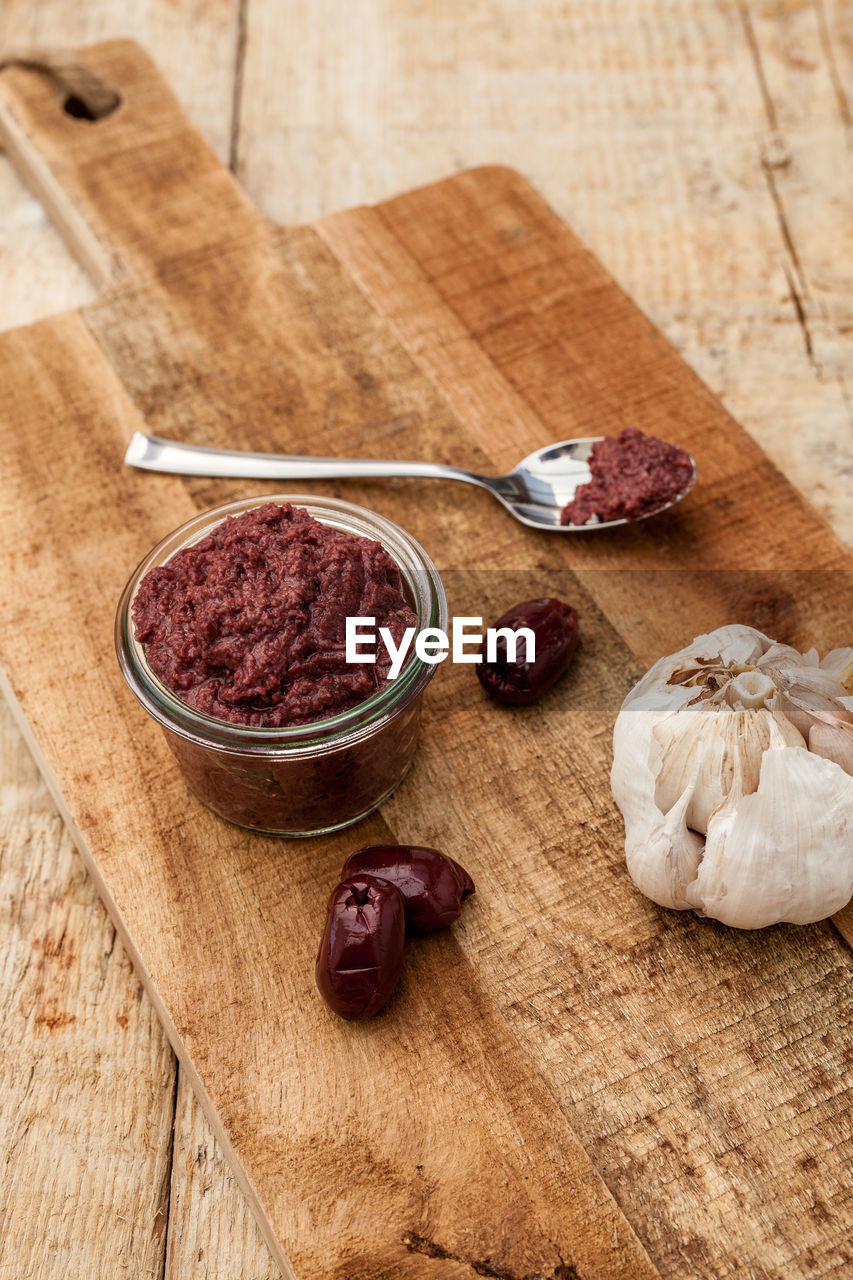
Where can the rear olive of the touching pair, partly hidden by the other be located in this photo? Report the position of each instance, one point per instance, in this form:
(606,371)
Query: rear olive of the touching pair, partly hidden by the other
(434,886)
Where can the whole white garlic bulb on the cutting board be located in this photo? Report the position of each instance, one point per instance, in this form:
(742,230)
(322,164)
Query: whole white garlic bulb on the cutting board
(733,767)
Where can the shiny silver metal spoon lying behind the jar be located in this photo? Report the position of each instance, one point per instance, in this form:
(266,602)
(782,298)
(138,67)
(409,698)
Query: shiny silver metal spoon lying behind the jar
(535,492)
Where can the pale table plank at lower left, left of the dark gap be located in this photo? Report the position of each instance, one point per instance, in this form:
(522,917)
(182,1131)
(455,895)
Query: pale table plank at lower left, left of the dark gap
(86,1076)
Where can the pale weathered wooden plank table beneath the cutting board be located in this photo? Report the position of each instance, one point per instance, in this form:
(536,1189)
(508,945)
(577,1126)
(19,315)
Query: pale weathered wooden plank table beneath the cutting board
(701,149)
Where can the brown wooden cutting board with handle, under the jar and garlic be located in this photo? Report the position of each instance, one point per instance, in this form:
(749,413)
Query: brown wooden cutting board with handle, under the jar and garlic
(573,1082)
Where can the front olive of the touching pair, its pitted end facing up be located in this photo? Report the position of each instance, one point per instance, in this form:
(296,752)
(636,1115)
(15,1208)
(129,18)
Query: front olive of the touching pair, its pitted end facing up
(362,949)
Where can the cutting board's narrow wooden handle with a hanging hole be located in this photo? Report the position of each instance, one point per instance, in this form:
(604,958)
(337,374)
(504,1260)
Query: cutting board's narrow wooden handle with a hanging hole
(133,193)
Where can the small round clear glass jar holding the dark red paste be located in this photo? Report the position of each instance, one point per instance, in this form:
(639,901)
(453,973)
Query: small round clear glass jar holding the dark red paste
(302,780)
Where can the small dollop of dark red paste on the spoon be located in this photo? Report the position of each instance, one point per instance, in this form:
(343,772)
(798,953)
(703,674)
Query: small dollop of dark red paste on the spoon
(632,476)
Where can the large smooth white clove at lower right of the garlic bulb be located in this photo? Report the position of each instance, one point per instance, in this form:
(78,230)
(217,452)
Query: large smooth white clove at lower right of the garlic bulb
(784,853)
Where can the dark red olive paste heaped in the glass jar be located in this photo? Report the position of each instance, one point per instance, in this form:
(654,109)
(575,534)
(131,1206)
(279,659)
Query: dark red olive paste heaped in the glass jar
(249,624)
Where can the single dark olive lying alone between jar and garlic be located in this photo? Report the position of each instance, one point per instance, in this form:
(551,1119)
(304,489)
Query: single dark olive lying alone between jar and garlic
(555,627)
